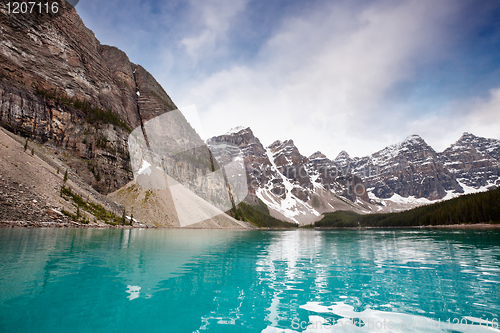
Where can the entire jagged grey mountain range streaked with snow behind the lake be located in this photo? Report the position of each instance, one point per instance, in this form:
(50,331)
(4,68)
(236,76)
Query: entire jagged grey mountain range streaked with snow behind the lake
(400,176)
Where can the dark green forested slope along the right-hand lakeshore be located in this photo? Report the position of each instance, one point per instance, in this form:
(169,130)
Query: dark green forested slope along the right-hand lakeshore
(469,209)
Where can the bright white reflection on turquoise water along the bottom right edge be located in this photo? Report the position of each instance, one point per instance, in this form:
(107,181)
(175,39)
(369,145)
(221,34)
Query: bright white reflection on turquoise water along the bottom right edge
(379,321)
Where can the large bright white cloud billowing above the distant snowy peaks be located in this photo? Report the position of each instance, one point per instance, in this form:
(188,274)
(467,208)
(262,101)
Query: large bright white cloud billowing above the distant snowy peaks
(323,79)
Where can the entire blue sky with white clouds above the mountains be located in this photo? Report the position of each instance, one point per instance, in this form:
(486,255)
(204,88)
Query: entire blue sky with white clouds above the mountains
(331,75)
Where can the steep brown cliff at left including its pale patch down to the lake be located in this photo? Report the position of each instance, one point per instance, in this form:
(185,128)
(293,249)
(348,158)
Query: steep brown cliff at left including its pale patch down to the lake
(60,87)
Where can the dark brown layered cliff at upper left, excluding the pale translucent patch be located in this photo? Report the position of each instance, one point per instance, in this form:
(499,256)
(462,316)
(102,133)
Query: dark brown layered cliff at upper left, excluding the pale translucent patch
(60,86)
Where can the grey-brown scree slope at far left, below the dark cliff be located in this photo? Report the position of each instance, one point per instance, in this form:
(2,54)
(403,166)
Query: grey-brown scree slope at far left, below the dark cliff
(31,181)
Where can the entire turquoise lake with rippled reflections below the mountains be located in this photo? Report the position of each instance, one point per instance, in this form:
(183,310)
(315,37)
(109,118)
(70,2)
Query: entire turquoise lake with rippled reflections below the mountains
(54,280)
